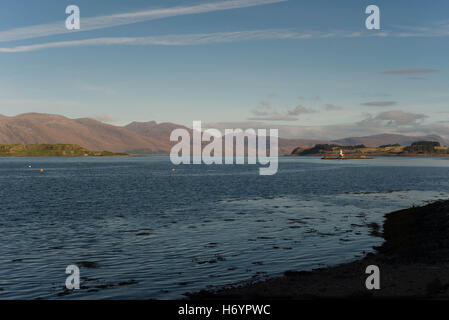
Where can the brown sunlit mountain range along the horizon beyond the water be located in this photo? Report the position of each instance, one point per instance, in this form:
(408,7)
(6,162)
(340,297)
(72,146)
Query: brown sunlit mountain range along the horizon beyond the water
(143,137)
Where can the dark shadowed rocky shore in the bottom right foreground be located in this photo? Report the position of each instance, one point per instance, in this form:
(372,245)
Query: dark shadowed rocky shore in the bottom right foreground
(413,263)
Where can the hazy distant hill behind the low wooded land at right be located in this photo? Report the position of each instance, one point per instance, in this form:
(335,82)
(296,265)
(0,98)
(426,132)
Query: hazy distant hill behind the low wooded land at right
(384,139)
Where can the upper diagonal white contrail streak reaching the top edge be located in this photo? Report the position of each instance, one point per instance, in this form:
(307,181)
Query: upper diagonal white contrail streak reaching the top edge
(106,21)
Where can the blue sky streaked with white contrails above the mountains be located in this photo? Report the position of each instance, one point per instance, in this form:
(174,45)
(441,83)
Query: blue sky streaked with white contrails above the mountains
(309,68)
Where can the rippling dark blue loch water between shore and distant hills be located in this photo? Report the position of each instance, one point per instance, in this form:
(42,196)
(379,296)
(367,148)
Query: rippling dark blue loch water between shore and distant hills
(138,230)
